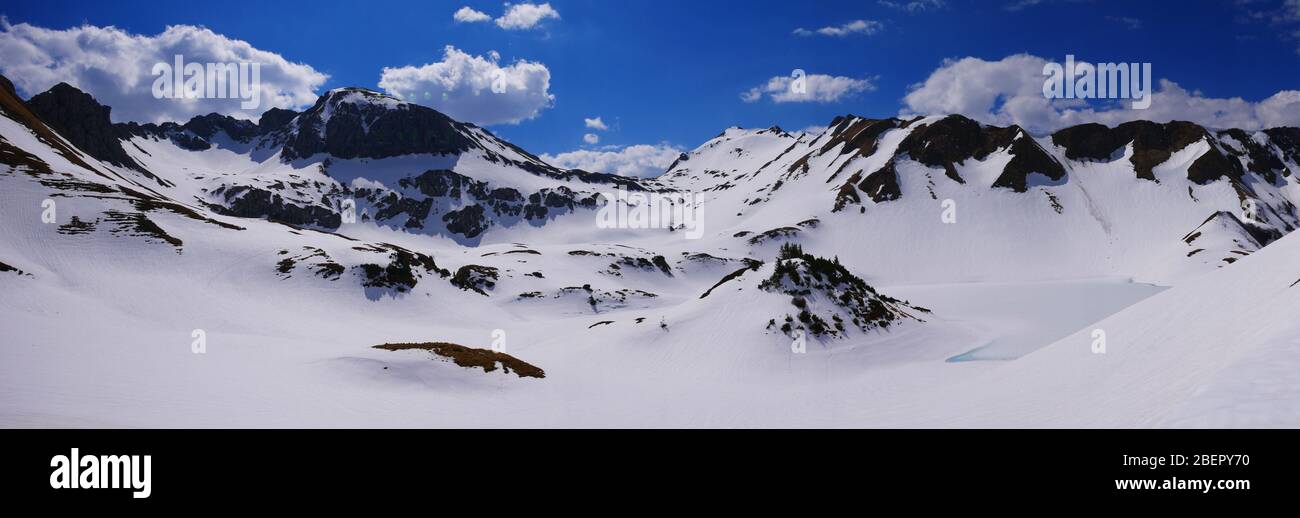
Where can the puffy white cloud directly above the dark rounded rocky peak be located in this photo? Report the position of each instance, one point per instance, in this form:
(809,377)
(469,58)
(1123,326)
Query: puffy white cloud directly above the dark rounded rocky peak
(462,87)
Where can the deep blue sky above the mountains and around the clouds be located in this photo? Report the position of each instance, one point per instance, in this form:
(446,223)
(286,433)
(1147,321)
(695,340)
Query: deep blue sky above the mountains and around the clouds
(674,72)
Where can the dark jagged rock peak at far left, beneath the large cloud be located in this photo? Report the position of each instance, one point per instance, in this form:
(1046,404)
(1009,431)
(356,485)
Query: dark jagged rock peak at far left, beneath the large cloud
(83,122)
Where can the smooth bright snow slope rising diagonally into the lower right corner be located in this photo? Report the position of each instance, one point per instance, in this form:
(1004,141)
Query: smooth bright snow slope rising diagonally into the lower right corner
(1219,351)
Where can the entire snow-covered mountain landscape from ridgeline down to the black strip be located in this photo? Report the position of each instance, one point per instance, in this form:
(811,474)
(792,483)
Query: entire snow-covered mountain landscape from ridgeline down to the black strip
(892,251)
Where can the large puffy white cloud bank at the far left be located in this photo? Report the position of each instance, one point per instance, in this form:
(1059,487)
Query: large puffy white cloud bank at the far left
(116,67)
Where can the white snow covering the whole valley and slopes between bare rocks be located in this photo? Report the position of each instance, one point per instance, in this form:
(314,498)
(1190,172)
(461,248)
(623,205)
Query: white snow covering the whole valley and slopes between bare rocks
(101,334)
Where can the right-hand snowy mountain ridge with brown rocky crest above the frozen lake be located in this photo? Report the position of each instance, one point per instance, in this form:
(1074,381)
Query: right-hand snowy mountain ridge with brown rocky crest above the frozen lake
(1087,200)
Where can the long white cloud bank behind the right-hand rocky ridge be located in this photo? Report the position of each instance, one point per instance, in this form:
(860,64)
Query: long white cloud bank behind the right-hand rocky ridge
(1011,92)
